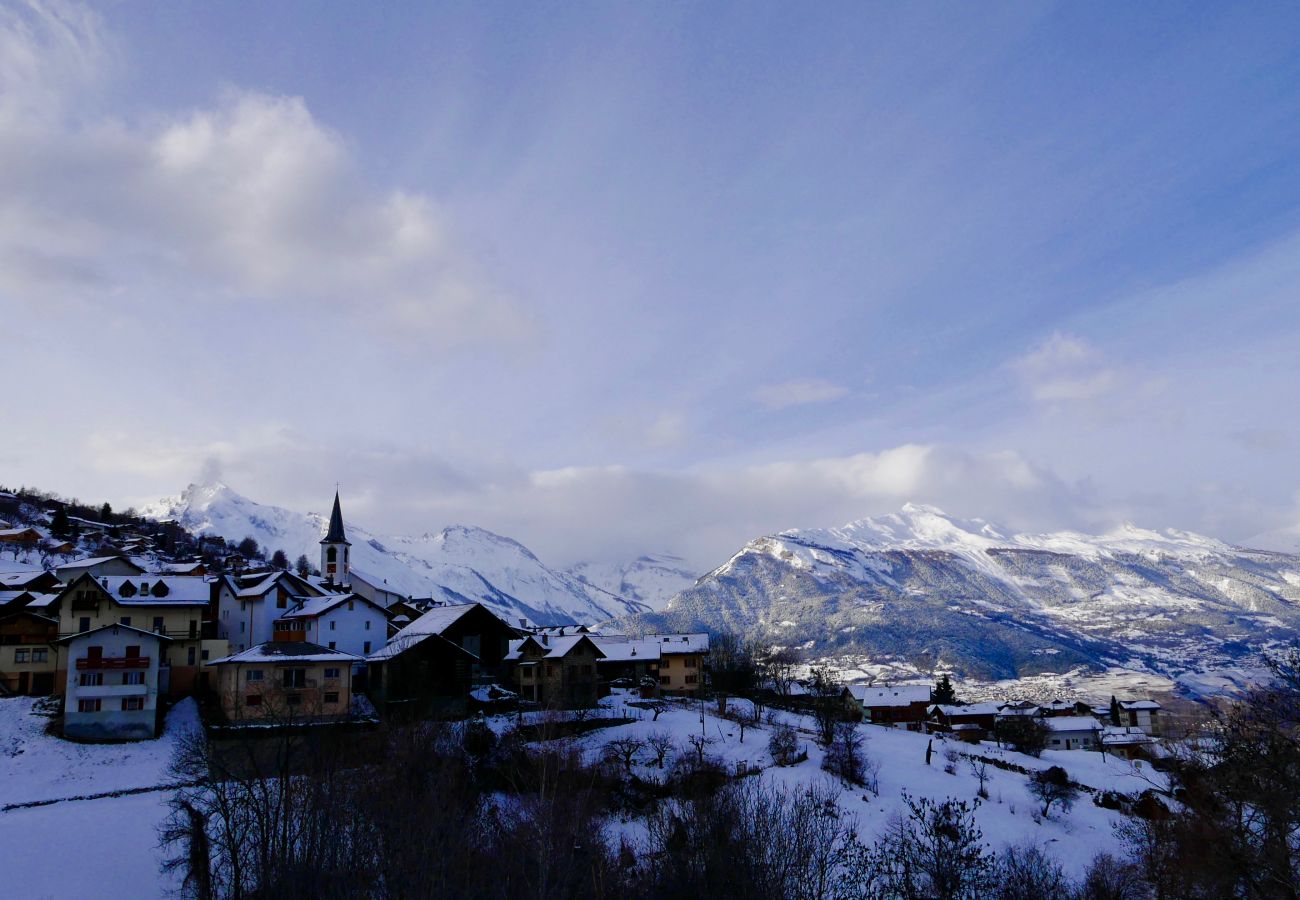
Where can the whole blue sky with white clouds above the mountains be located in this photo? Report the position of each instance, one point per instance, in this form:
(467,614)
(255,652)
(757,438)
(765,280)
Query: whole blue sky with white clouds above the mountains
(616,278)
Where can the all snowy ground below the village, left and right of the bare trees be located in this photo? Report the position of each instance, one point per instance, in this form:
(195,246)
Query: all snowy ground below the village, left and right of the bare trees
(123,860)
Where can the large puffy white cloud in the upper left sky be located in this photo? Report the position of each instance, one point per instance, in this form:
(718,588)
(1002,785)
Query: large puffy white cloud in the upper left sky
(253,200)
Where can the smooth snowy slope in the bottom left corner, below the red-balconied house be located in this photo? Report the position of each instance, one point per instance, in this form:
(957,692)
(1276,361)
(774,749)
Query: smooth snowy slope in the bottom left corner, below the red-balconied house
(79,849)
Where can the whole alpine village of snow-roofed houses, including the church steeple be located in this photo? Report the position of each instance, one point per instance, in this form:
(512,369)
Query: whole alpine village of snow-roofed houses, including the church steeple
(262,646)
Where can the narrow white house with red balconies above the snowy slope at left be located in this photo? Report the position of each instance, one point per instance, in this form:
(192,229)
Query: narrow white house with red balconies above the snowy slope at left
(112,683)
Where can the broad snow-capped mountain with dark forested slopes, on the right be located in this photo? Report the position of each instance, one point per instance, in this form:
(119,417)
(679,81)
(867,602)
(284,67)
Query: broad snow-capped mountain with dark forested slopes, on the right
(929,591)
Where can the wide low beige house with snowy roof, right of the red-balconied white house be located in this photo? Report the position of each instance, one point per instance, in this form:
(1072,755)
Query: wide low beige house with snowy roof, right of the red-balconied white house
(287,682)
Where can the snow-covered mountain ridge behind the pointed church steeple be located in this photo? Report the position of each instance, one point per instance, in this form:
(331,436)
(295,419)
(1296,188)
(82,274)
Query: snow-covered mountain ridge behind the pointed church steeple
(456,564)
